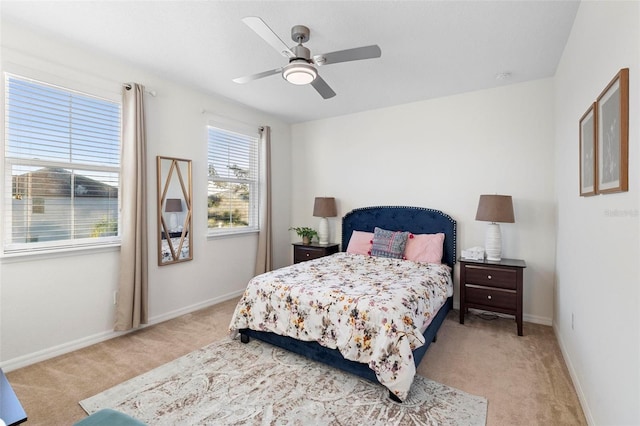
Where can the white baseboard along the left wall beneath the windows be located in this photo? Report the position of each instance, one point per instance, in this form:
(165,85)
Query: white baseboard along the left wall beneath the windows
(44,354)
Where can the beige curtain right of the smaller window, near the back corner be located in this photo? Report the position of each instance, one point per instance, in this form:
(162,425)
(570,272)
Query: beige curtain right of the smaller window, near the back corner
(264,261)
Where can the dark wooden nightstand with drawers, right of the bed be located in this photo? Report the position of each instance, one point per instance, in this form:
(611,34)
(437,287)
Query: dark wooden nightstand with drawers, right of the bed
(492,286)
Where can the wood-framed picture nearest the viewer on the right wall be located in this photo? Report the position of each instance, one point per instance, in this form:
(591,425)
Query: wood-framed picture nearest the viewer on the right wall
(612,140)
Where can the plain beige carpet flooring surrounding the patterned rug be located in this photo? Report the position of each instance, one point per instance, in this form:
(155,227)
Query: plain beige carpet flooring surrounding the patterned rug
(524,378)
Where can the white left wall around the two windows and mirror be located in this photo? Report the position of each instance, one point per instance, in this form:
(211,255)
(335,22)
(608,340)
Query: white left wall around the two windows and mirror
(52,304)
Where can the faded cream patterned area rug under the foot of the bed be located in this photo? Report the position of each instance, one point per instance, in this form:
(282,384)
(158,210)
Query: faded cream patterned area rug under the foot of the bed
(232,383)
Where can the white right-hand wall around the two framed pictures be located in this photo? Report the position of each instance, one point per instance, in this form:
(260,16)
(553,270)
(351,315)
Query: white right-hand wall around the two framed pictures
(598,240)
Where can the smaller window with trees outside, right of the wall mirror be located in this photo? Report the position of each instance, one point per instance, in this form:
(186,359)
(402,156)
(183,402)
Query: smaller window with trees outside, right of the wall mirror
(233,182)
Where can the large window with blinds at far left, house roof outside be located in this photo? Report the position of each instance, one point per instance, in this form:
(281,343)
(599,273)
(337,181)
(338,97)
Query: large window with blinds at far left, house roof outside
(62,167)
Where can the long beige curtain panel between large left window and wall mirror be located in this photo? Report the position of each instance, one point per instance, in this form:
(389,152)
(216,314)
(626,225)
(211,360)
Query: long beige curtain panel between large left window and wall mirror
(131,310)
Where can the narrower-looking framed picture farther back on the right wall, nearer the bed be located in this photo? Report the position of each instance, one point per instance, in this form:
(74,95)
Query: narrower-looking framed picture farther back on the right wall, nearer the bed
(588,153)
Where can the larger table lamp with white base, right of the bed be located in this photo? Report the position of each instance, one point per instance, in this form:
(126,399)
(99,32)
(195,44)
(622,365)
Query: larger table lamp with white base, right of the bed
(494,209)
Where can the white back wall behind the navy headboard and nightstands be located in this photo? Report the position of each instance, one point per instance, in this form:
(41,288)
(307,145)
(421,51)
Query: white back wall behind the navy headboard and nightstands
(443,154)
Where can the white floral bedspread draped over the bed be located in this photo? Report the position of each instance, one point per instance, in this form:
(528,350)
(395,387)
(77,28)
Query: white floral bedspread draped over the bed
(372,309)
